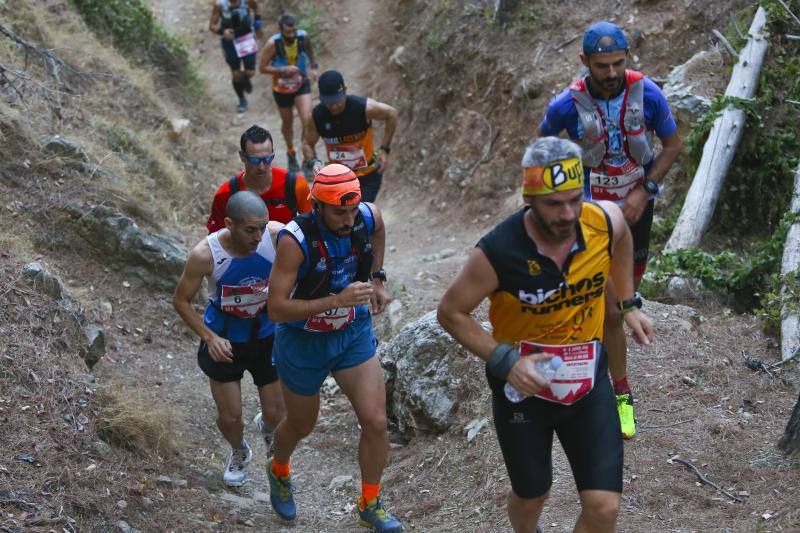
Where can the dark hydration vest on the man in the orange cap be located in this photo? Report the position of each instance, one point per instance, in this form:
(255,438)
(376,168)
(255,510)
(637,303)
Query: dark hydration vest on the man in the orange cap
(317,283)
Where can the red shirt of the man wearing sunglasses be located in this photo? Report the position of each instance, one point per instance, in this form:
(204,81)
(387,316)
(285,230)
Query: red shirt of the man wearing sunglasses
(277,211)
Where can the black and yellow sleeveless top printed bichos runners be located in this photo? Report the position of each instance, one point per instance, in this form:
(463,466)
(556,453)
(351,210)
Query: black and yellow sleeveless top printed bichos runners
(537,301)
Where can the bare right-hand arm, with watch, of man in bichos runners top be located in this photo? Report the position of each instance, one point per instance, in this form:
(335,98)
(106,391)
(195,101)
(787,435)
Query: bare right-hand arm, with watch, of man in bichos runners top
(622,272)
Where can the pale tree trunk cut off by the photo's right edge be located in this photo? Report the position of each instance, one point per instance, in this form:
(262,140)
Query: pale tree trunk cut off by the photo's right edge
(790,317)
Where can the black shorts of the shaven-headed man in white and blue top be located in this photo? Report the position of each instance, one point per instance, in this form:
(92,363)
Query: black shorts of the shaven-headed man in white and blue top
(254,356)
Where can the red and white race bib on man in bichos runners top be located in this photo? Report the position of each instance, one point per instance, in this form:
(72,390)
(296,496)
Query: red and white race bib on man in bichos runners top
(575,378)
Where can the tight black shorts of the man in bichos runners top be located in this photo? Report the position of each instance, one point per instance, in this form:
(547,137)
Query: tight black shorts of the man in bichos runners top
(588,430)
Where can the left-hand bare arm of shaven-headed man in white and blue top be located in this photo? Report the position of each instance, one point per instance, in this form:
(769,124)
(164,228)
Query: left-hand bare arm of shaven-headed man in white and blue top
(198,265)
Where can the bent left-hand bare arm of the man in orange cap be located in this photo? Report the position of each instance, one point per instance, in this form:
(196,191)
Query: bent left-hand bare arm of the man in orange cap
(282,308)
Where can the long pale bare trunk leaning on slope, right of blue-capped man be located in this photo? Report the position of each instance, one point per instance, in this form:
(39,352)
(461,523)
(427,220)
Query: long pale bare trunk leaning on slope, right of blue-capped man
(722,142)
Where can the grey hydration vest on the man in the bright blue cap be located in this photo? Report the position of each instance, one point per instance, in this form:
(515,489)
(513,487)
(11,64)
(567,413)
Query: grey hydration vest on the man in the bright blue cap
(637,141)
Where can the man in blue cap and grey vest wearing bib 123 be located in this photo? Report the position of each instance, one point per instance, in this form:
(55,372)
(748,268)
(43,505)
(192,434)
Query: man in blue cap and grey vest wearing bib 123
(612,113)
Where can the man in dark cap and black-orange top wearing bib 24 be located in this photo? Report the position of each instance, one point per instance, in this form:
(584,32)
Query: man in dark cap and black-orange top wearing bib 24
(344,122)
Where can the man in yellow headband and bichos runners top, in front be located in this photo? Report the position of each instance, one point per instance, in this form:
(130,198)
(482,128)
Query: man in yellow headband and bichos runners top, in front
(545,270)
